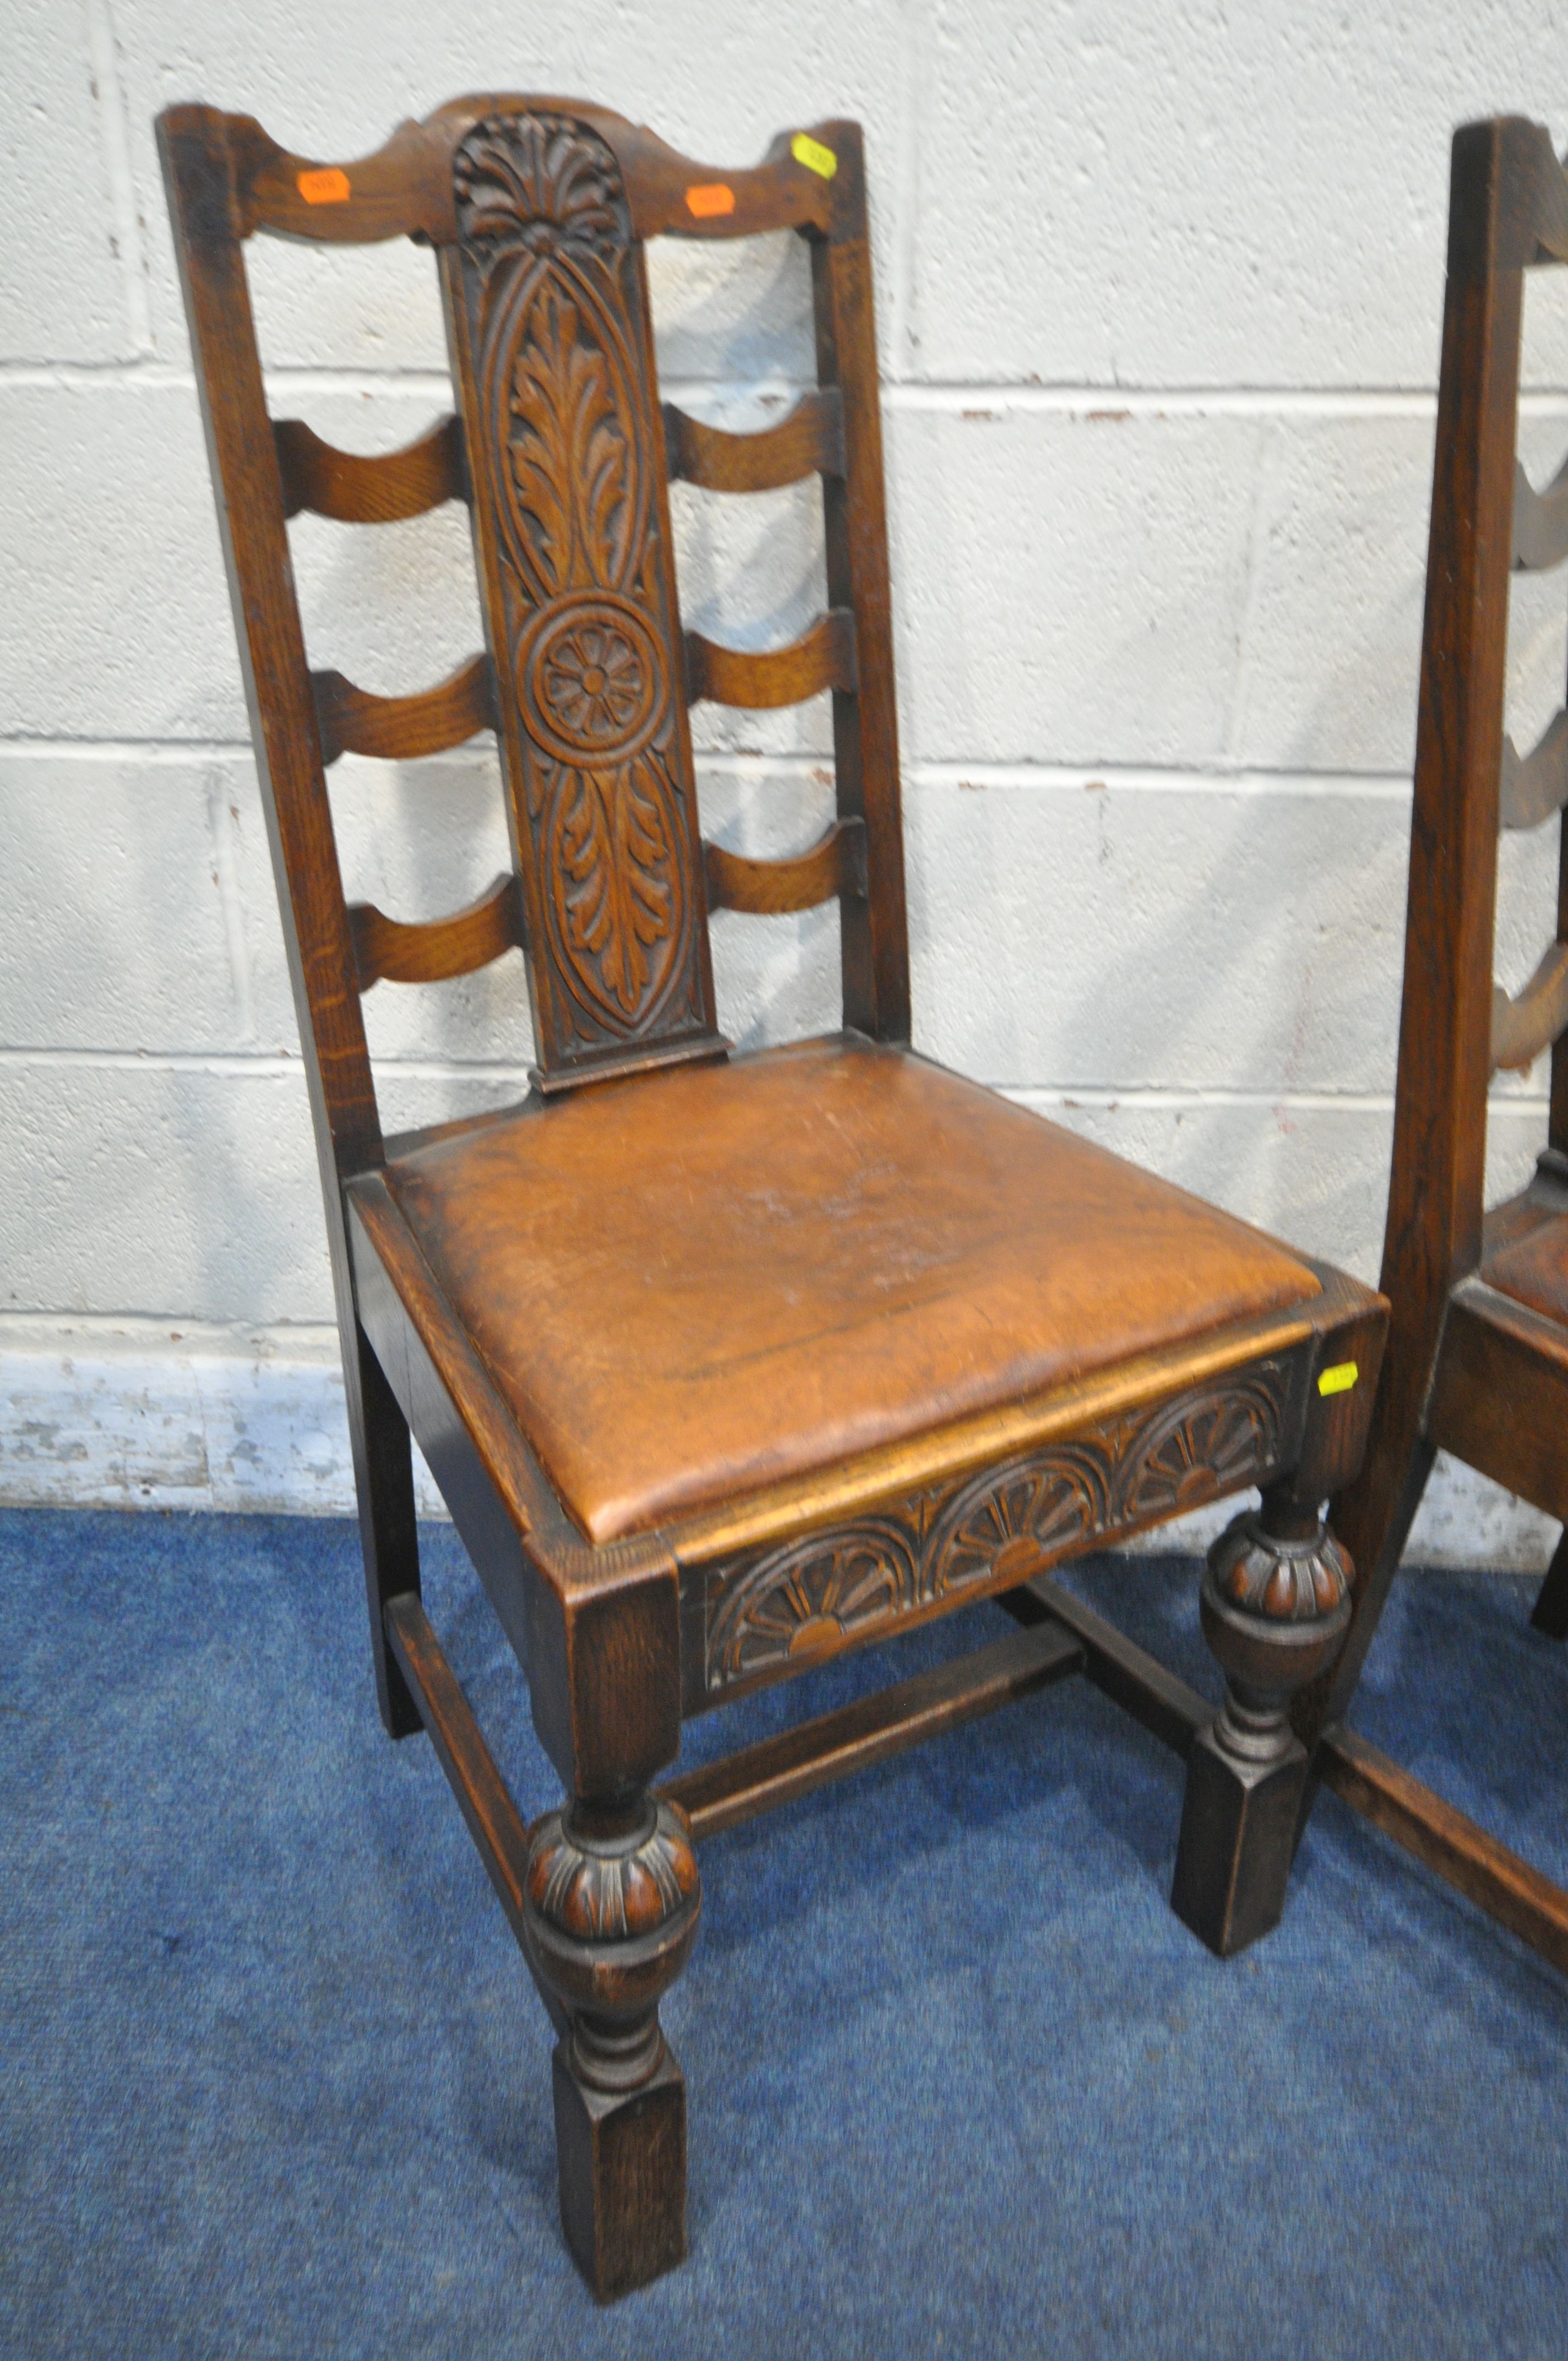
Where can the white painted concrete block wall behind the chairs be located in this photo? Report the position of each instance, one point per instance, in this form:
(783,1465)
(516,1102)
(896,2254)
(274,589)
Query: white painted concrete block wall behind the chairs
(1161,294)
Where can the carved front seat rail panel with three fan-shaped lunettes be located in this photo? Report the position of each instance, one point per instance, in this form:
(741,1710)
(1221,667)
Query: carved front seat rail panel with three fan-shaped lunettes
(995,1529)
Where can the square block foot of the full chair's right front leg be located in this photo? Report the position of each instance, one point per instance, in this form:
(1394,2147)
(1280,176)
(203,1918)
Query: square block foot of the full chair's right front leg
(1239,1838)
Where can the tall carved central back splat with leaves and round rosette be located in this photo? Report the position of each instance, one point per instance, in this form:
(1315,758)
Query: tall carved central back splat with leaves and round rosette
(554,310)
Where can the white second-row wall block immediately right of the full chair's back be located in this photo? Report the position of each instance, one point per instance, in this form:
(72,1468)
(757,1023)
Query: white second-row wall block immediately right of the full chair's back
(1069,589)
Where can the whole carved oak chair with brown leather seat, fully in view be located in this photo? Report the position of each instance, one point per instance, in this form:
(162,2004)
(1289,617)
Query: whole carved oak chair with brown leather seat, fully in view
(724,1363)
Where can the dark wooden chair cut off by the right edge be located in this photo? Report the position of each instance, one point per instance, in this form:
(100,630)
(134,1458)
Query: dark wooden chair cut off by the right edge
(1479,1342)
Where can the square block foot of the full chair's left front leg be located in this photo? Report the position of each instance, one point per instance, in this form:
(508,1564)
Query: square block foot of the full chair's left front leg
(622,2176)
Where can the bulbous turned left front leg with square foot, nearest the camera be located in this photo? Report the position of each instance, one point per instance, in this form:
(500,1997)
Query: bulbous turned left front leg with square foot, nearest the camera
(610,1909)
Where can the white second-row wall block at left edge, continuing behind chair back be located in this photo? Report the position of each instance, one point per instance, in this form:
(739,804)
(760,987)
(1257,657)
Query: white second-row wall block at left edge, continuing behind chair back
(122,610)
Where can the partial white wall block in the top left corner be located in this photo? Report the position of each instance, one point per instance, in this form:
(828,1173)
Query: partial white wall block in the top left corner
(63,270)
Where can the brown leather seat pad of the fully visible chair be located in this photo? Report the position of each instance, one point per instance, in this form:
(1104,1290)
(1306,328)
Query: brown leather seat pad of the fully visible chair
(703,1281)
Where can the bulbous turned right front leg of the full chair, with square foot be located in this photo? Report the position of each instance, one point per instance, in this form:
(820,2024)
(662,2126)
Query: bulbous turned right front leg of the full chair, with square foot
(1276,1604)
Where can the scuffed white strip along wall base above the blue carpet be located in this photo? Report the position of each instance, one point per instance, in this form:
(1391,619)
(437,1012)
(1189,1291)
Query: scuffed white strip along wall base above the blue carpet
(141,1415)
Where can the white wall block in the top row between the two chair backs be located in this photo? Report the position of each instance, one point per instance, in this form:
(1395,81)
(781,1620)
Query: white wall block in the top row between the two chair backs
(1170,197)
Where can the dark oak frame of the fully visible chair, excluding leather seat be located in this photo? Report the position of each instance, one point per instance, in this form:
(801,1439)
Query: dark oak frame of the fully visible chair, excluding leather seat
(620,1640)
